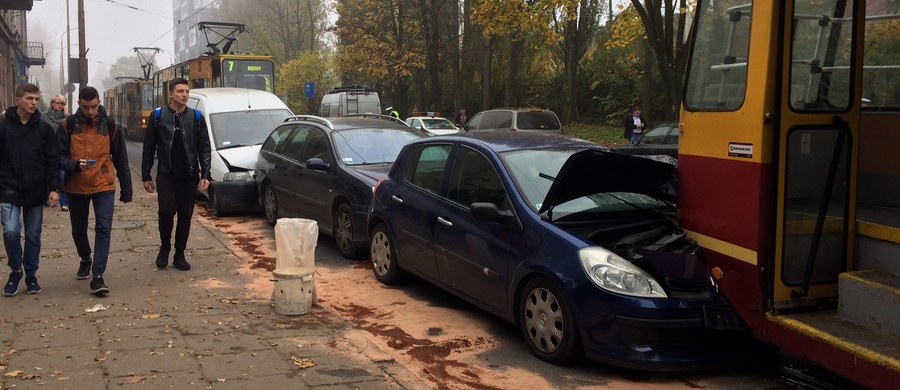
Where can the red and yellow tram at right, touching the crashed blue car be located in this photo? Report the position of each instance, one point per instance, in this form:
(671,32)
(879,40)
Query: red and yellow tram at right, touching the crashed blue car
(789,175)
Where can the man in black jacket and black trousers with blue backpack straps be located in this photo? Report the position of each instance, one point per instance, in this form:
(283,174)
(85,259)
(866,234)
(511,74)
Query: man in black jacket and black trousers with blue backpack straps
(181,145)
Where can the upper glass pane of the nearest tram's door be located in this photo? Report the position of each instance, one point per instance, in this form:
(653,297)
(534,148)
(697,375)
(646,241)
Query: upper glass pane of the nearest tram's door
(820,55)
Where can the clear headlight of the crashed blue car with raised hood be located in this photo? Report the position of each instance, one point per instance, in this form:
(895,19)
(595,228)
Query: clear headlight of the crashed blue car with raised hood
(613,273)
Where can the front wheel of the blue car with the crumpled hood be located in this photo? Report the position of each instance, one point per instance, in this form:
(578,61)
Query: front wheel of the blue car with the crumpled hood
(548,324)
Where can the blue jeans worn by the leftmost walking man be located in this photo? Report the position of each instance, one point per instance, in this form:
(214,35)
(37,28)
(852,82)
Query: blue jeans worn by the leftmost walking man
(33,217)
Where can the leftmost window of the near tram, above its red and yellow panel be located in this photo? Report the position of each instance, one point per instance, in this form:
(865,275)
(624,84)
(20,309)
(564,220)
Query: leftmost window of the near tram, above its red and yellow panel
(717,78)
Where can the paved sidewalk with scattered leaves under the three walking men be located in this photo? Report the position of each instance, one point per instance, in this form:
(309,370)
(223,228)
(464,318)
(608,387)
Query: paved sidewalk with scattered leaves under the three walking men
(208,328)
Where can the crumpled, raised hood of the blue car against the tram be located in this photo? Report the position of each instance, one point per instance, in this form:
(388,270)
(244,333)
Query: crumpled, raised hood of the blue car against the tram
(594,171)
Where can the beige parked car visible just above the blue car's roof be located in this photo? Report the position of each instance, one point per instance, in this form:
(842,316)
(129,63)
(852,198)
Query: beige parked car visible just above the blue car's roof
(515,119)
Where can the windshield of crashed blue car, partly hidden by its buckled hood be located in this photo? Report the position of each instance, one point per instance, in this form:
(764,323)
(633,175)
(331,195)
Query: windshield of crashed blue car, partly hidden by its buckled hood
(534,171)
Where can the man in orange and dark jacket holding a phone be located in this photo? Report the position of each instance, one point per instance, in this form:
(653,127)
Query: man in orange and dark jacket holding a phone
(93,153)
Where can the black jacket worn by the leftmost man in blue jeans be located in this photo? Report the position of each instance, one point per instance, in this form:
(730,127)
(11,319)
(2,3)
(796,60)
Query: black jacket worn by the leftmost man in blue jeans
(29,163)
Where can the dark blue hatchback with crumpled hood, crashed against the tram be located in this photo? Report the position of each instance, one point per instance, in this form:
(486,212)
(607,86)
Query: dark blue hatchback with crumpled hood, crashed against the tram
(575,244)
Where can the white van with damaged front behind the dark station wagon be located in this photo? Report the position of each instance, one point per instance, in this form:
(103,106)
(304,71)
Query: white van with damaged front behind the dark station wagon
(239,120)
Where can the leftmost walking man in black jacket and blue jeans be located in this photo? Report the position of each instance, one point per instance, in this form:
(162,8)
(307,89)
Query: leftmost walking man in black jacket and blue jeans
(29,178)
